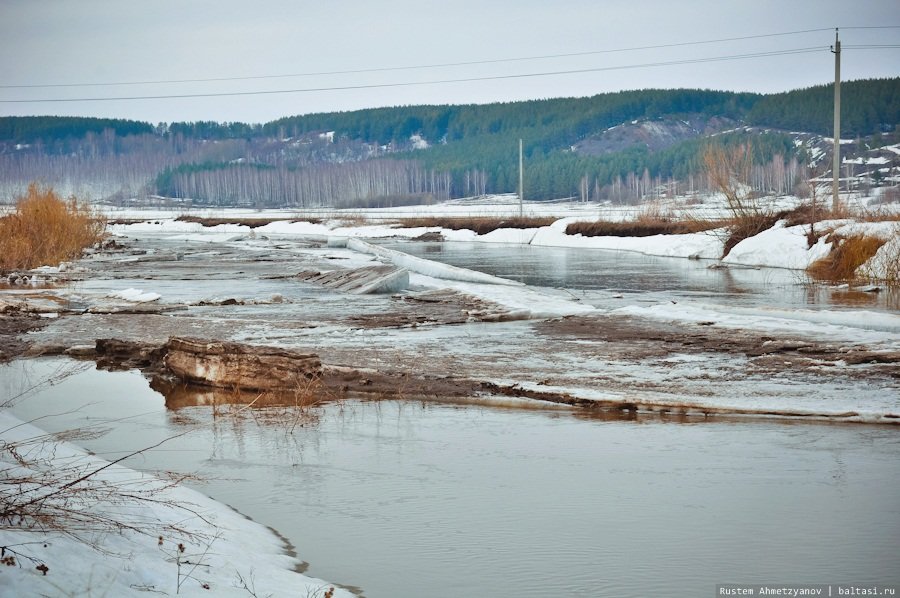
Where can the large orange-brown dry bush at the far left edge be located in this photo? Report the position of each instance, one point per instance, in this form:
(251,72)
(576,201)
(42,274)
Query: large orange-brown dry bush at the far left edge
(45,229)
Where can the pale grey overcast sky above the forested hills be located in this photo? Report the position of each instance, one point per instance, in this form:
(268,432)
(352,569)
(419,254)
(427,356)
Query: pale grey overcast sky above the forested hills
(64,42)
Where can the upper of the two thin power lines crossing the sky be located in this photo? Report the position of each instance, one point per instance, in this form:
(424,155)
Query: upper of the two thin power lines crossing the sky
(427,66)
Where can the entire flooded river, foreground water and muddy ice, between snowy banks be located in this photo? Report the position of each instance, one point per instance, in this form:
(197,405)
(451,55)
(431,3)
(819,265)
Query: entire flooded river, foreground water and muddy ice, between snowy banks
(617,425)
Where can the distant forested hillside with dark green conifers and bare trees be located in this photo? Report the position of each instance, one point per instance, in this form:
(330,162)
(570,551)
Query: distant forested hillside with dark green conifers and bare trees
(620,146)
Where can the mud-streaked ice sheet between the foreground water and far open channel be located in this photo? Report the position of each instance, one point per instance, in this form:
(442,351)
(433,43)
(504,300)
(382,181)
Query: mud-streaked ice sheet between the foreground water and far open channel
(435,344)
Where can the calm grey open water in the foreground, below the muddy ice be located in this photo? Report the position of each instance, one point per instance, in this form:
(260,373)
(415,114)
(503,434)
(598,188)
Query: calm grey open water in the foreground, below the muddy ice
(411,499)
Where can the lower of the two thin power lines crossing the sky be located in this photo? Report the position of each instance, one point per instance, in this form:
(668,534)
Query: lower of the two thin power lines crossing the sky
(435,82)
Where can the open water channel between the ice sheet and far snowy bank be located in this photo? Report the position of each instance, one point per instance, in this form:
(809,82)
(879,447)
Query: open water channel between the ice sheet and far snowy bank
(589,271)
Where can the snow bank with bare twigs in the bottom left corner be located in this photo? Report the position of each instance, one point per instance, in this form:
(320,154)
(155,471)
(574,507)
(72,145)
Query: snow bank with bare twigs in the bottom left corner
(226,544)
